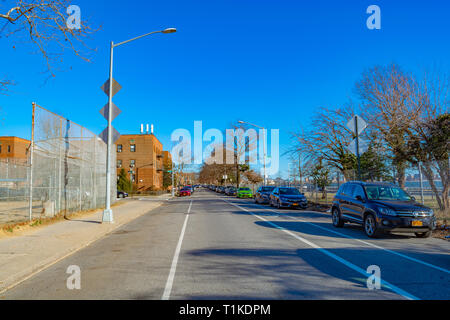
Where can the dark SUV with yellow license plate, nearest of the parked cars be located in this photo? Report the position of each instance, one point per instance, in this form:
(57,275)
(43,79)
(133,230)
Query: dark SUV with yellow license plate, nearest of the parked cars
(381,207)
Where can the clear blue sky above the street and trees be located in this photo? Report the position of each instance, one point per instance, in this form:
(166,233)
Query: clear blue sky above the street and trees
(269,62)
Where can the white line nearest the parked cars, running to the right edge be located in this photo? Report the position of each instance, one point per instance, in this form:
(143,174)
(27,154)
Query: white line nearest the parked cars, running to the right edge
(352,238)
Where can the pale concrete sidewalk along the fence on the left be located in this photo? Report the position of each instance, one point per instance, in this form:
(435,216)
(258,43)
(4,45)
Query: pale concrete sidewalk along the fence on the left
(24,255)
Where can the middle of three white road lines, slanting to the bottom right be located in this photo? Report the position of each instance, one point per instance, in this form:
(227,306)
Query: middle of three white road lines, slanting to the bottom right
(332,255)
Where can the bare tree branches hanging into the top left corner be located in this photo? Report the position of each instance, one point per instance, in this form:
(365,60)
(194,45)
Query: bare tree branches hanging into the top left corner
(43,22)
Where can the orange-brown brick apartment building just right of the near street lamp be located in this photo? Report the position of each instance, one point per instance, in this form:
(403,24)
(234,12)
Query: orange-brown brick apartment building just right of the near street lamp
(141,155)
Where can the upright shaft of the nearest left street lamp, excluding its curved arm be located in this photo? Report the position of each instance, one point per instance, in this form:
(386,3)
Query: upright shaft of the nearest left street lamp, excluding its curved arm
(108,214)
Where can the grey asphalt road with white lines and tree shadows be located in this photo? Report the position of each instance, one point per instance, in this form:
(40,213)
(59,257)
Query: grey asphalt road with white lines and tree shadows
(210,246)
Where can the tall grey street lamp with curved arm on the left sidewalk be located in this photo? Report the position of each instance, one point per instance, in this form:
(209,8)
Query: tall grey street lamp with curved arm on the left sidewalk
(108,214)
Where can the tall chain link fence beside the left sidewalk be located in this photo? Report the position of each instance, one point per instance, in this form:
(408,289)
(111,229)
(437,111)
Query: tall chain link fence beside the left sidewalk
(68,172)
